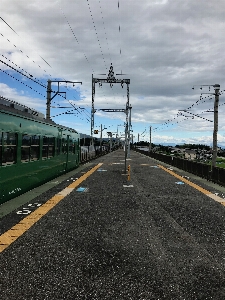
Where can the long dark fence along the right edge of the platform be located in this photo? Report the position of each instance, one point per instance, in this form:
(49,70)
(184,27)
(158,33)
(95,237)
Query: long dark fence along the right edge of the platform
(216,175)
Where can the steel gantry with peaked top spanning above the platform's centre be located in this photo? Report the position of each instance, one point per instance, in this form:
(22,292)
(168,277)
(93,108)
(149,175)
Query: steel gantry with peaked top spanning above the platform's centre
(111,80)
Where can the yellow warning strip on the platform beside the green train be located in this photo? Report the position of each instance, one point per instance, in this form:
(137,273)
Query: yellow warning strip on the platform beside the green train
(17,230)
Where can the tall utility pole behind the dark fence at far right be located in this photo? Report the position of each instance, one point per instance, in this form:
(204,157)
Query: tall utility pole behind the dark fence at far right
(216,104)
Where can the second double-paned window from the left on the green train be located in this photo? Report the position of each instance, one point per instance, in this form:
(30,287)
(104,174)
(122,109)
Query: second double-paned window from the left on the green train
(30,147)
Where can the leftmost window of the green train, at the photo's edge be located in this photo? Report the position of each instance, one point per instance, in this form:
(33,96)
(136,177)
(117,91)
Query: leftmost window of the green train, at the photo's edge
(8,148)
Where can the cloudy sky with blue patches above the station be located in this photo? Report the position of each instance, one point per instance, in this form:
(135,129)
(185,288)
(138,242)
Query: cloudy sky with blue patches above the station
(165,47)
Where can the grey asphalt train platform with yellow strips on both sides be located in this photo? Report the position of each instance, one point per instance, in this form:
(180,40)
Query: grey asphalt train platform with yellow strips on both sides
(99,233)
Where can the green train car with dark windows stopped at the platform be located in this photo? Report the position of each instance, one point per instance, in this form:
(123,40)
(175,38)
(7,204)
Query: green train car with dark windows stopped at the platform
(33,150)
